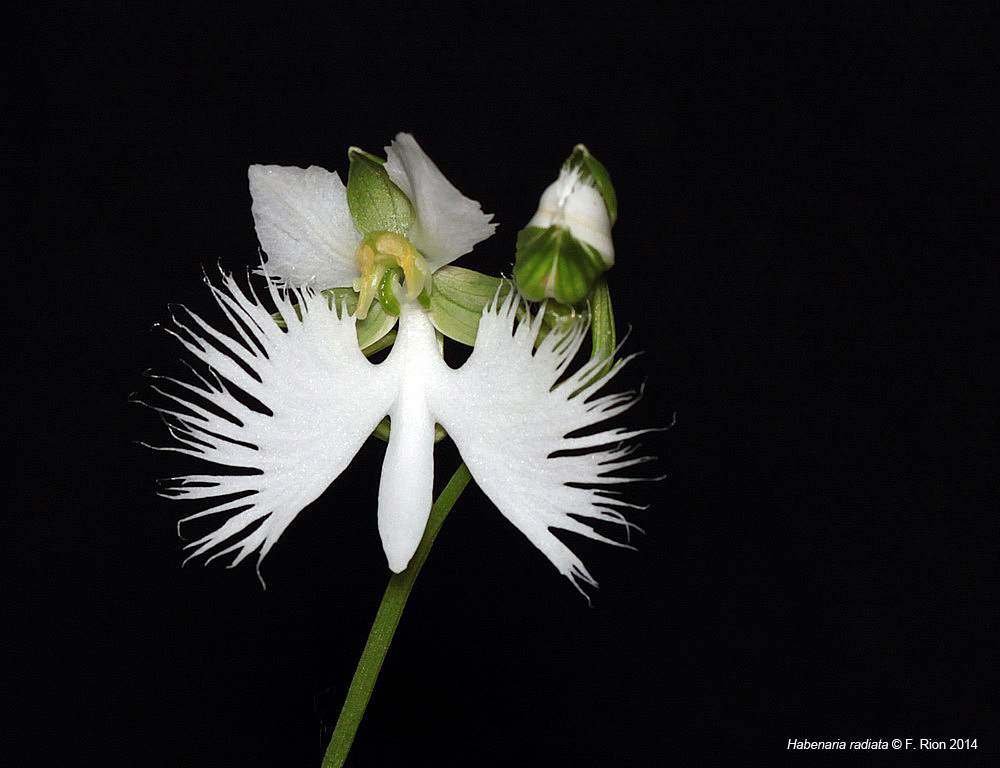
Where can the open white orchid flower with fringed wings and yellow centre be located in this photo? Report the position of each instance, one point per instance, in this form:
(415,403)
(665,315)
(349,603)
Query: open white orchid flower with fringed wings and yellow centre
(514,422)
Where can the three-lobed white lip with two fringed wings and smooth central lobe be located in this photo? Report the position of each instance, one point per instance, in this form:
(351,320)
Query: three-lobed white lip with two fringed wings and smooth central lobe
(321,399)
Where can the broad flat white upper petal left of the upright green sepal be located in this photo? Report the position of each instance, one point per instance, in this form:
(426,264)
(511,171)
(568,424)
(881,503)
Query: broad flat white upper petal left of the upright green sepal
(304,225)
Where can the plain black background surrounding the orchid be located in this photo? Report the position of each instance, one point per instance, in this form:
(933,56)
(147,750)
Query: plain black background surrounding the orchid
(804,257)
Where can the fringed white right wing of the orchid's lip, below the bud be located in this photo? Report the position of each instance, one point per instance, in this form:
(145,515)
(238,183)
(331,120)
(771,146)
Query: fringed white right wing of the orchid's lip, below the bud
(511,425)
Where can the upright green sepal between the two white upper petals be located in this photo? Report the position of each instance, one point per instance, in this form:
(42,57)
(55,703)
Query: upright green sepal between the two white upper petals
(376,203)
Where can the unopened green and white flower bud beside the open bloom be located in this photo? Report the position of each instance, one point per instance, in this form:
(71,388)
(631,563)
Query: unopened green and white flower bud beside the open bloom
(567,244)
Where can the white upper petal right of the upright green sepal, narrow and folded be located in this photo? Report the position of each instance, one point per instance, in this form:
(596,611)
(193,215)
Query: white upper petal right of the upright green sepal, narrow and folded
(448,223)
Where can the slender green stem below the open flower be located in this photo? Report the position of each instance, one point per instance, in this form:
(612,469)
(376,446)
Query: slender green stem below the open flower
(384,626)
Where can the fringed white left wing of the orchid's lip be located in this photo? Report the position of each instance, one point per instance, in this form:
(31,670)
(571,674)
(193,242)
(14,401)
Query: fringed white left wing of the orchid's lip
(295,404)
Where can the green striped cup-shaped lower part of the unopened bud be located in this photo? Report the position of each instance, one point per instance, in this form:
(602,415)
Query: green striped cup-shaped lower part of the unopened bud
(552,263)
